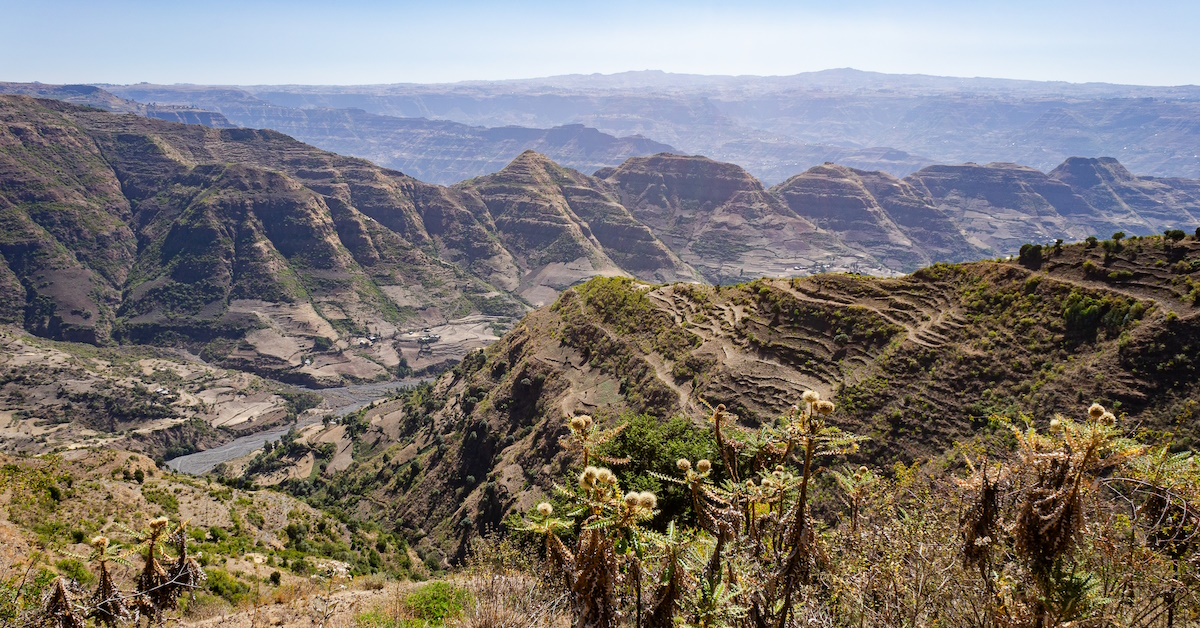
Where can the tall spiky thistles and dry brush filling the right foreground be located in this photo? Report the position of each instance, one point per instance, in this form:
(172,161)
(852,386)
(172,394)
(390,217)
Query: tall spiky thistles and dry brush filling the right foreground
(1039,533)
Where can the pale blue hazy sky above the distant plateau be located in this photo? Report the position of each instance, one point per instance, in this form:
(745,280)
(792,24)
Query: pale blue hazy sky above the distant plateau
(364,41)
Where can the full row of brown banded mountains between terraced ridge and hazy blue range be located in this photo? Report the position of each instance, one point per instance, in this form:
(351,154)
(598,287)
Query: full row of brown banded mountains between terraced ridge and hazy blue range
(267,253)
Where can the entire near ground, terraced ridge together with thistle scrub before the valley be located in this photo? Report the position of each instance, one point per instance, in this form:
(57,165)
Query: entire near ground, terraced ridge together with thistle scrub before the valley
(1003,444)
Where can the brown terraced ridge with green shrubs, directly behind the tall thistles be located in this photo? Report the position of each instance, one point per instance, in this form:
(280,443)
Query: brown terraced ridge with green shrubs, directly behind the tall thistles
(916,363)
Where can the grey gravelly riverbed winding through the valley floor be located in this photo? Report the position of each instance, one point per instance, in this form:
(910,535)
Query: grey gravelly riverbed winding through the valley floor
(344,399)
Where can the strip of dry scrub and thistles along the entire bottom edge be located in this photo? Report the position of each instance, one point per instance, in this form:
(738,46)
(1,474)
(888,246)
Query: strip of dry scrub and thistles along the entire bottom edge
(1077,525)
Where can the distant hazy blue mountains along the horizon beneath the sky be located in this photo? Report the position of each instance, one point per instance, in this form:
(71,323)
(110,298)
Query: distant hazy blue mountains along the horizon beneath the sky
(775,127)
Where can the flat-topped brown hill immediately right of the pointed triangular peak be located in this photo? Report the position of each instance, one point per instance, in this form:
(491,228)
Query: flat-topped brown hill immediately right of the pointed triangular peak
(717,217)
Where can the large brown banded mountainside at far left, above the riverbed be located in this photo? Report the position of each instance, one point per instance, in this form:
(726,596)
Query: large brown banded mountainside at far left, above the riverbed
(160,232)
